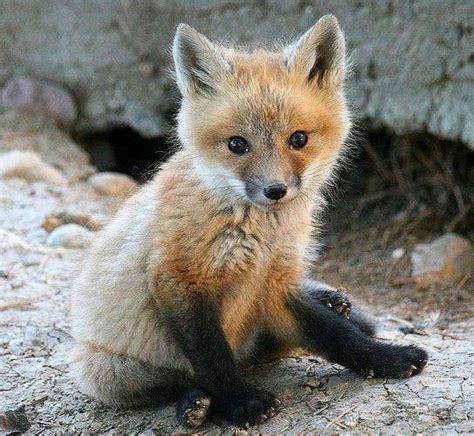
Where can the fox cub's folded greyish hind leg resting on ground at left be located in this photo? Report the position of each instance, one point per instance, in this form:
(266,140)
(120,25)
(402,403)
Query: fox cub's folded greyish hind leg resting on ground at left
(121,381)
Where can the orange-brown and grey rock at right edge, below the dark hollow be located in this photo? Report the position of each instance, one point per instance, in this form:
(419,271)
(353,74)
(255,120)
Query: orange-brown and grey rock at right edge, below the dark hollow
(448,258)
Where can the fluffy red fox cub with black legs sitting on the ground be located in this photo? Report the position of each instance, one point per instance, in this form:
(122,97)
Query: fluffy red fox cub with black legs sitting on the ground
(205,267)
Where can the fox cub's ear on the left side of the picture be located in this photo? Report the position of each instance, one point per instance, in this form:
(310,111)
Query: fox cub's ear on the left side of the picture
(199,64)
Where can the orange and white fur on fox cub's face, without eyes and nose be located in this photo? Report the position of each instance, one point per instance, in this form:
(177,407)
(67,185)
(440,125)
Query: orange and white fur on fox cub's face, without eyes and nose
(264,97)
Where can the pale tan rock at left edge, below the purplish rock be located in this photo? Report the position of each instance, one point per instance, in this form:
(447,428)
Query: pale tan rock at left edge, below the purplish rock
(29,166)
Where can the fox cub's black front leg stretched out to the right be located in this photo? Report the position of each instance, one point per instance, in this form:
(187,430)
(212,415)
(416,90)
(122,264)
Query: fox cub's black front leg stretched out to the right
(323,331)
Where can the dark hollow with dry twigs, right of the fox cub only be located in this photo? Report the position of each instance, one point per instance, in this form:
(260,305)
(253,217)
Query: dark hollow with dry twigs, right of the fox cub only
(428,180)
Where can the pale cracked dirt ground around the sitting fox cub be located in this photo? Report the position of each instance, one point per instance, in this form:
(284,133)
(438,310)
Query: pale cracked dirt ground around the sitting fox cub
(317,397)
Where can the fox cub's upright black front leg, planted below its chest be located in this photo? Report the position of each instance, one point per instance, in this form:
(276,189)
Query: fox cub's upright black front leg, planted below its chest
(194,323)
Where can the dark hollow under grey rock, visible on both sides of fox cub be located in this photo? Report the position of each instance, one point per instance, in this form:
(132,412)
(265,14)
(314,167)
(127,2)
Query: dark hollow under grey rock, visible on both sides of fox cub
(428,179)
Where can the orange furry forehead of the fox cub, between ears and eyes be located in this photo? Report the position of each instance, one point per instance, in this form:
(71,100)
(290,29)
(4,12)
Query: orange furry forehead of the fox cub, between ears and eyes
(262,99)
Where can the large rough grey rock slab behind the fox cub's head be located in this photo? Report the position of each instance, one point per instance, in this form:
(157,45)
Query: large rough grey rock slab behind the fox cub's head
(413,59)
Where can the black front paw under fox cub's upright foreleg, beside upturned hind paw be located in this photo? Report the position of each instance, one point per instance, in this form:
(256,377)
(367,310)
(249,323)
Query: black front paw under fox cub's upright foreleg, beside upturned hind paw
(248,406)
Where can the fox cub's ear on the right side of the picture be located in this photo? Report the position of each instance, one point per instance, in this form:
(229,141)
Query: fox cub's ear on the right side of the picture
(320,54)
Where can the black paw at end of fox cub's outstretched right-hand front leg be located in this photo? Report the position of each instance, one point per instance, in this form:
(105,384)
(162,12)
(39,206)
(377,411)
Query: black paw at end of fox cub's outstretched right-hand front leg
(397,362)
